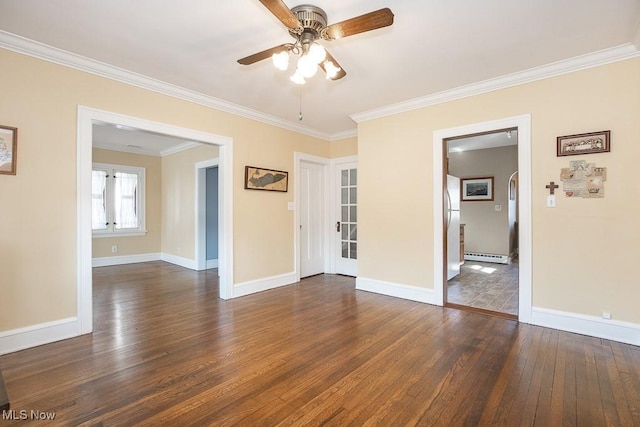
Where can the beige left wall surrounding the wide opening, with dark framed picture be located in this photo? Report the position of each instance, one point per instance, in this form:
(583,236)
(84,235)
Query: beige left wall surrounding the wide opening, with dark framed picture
(38,227)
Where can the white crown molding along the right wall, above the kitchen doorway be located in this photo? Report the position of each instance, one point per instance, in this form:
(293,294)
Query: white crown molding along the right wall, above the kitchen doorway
(595,59)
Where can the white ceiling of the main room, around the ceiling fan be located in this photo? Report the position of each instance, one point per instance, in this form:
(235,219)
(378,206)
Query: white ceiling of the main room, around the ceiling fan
(434,46)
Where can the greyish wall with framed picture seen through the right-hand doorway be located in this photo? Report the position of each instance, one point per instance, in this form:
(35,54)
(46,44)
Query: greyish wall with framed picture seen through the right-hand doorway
(486,230)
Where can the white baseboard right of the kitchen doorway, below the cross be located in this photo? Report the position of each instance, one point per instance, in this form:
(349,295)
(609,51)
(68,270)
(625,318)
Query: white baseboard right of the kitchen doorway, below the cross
(587,325)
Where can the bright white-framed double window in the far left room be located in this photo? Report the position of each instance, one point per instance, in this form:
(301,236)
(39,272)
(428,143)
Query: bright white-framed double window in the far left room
(117,200)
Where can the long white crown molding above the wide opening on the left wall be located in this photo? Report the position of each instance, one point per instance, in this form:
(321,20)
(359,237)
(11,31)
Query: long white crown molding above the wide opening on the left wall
(19,44)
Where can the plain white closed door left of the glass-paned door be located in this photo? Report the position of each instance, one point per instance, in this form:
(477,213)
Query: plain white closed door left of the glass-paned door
(311,219)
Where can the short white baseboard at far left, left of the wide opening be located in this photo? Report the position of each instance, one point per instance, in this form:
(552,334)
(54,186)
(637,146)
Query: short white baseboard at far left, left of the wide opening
(35,335)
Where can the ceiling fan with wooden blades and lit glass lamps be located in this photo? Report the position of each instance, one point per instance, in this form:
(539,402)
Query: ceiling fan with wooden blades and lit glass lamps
(307,24)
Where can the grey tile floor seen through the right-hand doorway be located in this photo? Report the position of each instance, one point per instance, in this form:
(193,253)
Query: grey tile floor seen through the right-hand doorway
(486,285)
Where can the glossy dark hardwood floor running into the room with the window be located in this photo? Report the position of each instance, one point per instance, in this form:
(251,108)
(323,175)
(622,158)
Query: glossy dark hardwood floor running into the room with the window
(167,351)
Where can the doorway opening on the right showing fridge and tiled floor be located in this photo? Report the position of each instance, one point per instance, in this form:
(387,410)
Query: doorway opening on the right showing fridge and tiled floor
(481,248)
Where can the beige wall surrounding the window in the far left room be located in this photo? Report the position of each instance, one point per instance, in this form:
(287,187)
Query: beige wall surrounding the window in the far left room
(150,243)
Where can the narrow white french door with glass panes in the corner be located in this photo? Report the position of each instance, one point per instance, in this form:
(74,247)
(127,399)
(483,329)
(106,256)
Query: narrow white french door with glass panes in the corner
(346,226)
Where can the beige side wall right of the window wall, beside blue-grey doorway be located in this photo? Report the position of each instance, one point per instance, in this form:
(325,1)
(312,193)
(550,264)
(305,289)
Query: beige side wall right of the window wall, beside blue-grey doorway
(178,201)
